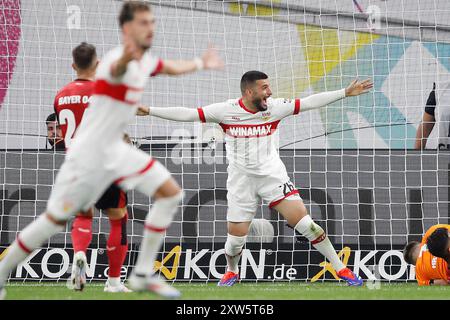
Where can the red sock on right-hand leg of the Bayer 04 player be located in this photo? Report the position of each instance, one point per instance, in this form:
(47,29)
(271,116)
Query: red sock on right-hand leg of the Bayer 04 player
(117,245)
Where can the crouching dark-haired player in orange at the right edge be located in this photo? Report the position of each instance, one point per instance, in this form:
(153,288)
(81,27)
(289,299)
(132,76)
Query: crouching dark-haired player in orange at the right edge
(430,268)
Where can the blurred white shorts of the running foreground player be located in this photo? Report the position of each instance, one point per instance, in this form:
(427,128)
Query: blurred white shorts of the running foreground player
(79,185)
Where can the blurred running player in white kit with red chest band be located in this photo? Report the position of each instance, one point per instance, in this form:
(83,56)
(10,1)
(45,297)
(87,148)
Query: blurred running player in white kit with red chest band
(98,156)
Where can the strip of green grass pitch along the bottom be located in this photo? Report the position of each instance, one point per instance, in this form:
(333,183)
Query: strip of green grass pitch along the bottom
(242,291)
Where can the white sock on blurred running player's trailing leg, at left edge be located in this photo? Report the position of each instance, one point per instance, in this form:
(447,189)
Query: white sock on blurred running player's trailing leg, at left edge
(32,237)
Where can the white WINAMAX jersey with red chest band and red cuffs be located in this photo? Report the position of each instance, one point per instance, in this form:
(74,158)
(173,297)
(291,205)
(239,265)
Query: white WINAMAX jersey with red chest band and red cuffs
(251,137)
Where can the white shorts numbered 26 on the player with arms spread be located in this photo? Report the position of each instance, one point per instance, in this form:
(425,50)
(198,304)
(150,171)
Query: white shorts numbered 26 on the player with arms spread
(245,193)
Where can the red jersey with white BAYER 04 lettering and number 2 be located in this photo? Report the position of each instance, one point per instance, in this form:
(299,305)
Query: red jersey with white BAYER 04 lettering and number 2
(70,103)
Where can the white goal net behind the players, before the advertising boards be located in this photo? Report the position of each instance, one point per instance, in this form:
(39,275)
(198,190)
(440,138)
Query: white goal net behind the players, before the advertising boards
(353,162)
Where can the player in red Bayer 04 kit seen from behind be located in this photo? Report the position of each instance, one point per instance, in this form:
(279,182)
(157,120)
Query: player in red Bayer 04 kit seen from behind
(70,105)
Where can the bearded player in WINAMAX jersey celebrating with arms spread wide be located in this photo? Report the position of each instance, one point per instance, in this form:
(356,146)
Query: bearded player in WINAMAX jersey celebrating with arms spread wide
(255,169)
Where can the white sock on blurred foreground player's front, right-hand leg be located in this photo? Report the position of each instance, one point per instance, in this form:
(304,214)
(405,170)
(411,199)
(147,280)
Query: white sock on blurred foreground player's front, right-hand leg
(157,221)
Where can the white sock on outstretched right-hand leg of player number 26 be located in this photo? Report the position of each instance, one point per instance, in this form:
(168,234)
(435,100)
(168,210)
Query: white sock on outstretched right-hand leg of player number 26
(314,233)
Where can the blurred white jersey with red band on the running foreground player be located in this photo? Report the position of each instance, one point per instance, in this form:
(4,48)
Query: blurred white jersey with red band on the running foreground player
(112,106)
